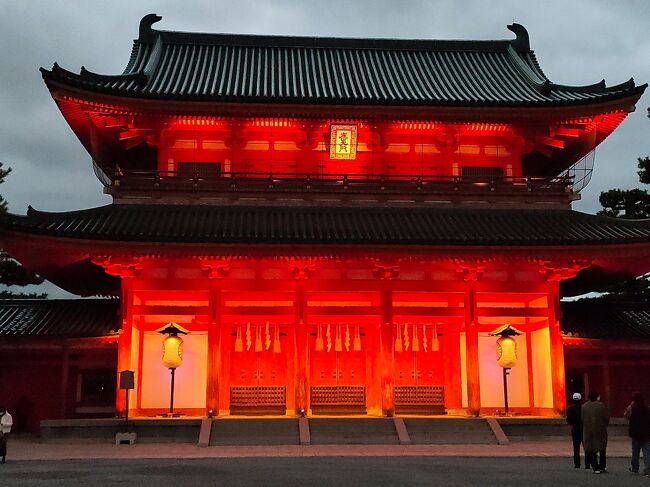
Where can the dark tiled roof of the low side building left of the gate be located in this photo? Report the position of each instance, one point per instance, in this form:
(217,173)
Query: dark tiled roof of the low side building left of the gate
(70,318)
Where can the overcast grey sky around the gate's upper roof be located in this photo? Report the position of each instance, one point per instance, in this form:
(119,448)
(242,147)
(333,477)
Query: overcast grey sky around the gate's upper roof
(576,41)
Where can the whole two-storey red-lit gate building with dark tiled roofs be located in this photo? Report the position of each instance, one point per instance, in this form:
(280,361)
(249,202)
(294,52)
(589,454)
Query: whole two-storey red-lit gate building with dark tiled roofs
(338,223)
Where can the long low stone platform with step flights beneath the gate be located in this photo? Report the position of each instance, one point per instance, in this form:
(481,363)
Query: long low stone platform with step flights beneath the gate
(362,430)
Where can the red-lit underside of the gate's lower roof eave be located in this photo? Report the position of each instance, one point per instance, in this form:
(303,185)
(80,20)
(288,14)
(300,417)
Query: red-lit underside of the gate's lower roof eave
(68,262)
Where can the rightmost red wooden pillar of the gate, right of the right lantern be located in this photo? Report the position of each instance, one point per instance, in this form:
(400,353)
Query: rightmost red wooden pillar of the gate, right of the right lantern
(557,347)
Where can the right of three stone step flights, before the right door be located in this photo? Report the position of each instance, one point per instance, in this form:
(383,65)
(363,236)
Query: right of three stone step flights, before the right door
(428,431)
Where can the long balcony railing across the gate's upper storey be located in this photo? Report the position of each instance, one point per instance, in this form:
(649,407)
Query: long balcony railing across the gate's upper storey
(256,182)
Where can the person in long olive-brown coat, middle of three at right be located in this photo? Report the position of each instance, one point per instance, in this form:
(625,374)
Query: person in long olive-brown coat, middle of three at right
(595,419)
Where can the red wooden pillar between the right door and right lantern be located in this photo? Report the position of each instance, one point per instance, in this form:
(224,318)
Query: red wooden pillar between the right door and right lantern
(471,343)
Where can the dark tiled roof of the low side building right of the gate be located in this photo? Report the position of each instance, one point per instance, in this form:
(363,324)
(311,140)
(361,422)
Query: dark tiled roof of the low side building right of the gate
(595,318)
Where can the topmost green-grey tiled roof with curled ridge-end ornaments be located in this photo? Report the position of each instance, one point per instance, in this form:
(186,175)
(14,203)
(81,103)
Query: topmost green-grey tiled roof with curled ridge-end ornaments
(312,70)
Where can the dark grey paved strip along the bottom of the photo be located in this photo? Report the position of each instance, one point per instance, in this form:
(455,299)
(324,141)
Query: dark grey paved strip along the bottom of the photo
(315,472)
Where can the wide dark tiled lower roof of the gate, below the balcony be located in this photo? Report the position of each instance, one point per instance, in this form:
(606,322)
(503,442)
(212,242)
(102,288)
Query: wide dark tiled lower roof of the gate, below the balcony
(332,225)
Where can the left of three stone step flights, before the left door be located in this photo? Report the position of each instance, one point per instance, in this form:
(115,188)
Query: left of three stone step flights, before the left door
(255,431)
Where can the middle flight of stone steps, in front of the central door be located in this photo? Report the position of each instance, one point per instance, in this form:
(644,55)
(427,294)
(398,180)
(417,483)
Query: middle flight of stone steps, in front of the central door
(353,431)
